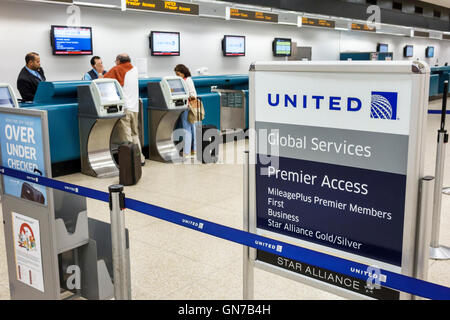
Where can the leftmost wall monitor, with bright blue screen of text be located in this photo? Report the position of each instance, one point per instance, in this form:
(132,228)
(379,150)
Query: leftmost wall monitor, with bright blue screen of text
(71,40)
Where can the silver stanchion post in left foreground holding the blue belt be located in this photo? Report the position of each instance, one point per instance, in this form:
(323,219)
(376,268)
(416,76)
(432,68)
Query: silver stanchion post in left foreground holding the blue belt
(118,238)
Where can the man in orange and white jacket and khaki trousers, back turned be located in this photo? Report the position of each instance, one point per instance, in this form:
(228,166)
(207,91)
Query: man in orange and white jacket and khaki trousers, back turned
(127,75)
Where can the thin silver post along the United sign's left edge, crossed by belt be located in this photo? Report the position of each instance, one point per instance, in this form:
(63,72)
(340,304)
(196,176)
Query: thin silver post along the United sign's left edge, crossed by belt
(248,275)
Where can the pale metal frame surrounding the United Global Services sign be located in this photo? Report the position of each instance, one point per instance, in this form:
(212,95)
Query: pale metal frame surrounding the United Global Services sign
(417,71)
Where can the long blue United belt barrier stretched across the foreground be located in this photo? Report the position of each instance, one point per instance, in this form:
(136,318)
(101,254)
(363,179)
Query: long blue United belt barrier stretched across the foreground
(392,280)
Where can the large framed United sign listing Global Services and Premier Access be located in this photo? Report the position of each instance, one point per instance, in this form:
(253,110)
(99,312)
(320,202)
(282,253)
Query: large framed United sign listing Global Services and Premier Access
(336,165)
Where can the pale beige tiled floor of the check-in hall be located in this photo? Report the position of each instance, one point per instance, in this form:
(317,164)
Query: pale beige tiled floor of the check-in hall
(171,262)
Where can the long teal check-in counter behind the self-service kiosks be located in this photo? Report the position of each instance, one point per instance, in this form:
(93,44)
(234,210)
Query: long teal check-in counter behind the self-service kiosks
(59,99)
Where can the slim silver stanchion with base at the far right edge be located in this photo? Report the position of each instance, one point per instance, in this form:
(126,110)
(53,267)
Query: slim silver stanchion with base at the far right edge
(439,252)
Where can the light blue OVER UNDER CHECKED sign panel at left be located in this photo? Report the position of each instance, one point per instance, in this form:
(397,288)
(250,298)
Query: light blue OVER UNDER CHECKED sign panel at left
(21,143)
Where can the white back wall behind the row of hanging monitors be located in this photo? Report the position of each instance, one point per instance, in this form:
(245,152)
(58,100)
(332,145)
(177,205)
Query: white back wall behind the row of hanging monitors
(25,27)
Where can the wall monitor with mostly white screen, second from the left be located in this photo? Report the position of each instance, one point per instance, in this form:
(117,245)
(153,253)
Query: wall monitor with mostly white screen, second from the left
(165,43)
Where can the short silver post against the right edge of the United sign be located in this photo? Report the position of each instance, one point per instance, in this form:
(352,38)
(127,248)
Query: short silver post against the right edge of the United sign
(424,221)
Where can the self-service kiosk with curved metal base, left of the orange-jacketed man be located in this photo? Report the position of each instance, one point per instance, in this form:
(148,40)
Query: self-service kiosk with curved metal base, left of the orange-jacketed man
(101,105)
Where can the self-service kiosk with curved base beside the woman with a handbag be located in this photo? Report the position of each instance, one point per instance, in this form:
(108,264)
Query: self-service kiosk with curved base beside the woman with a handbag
(167,99)
